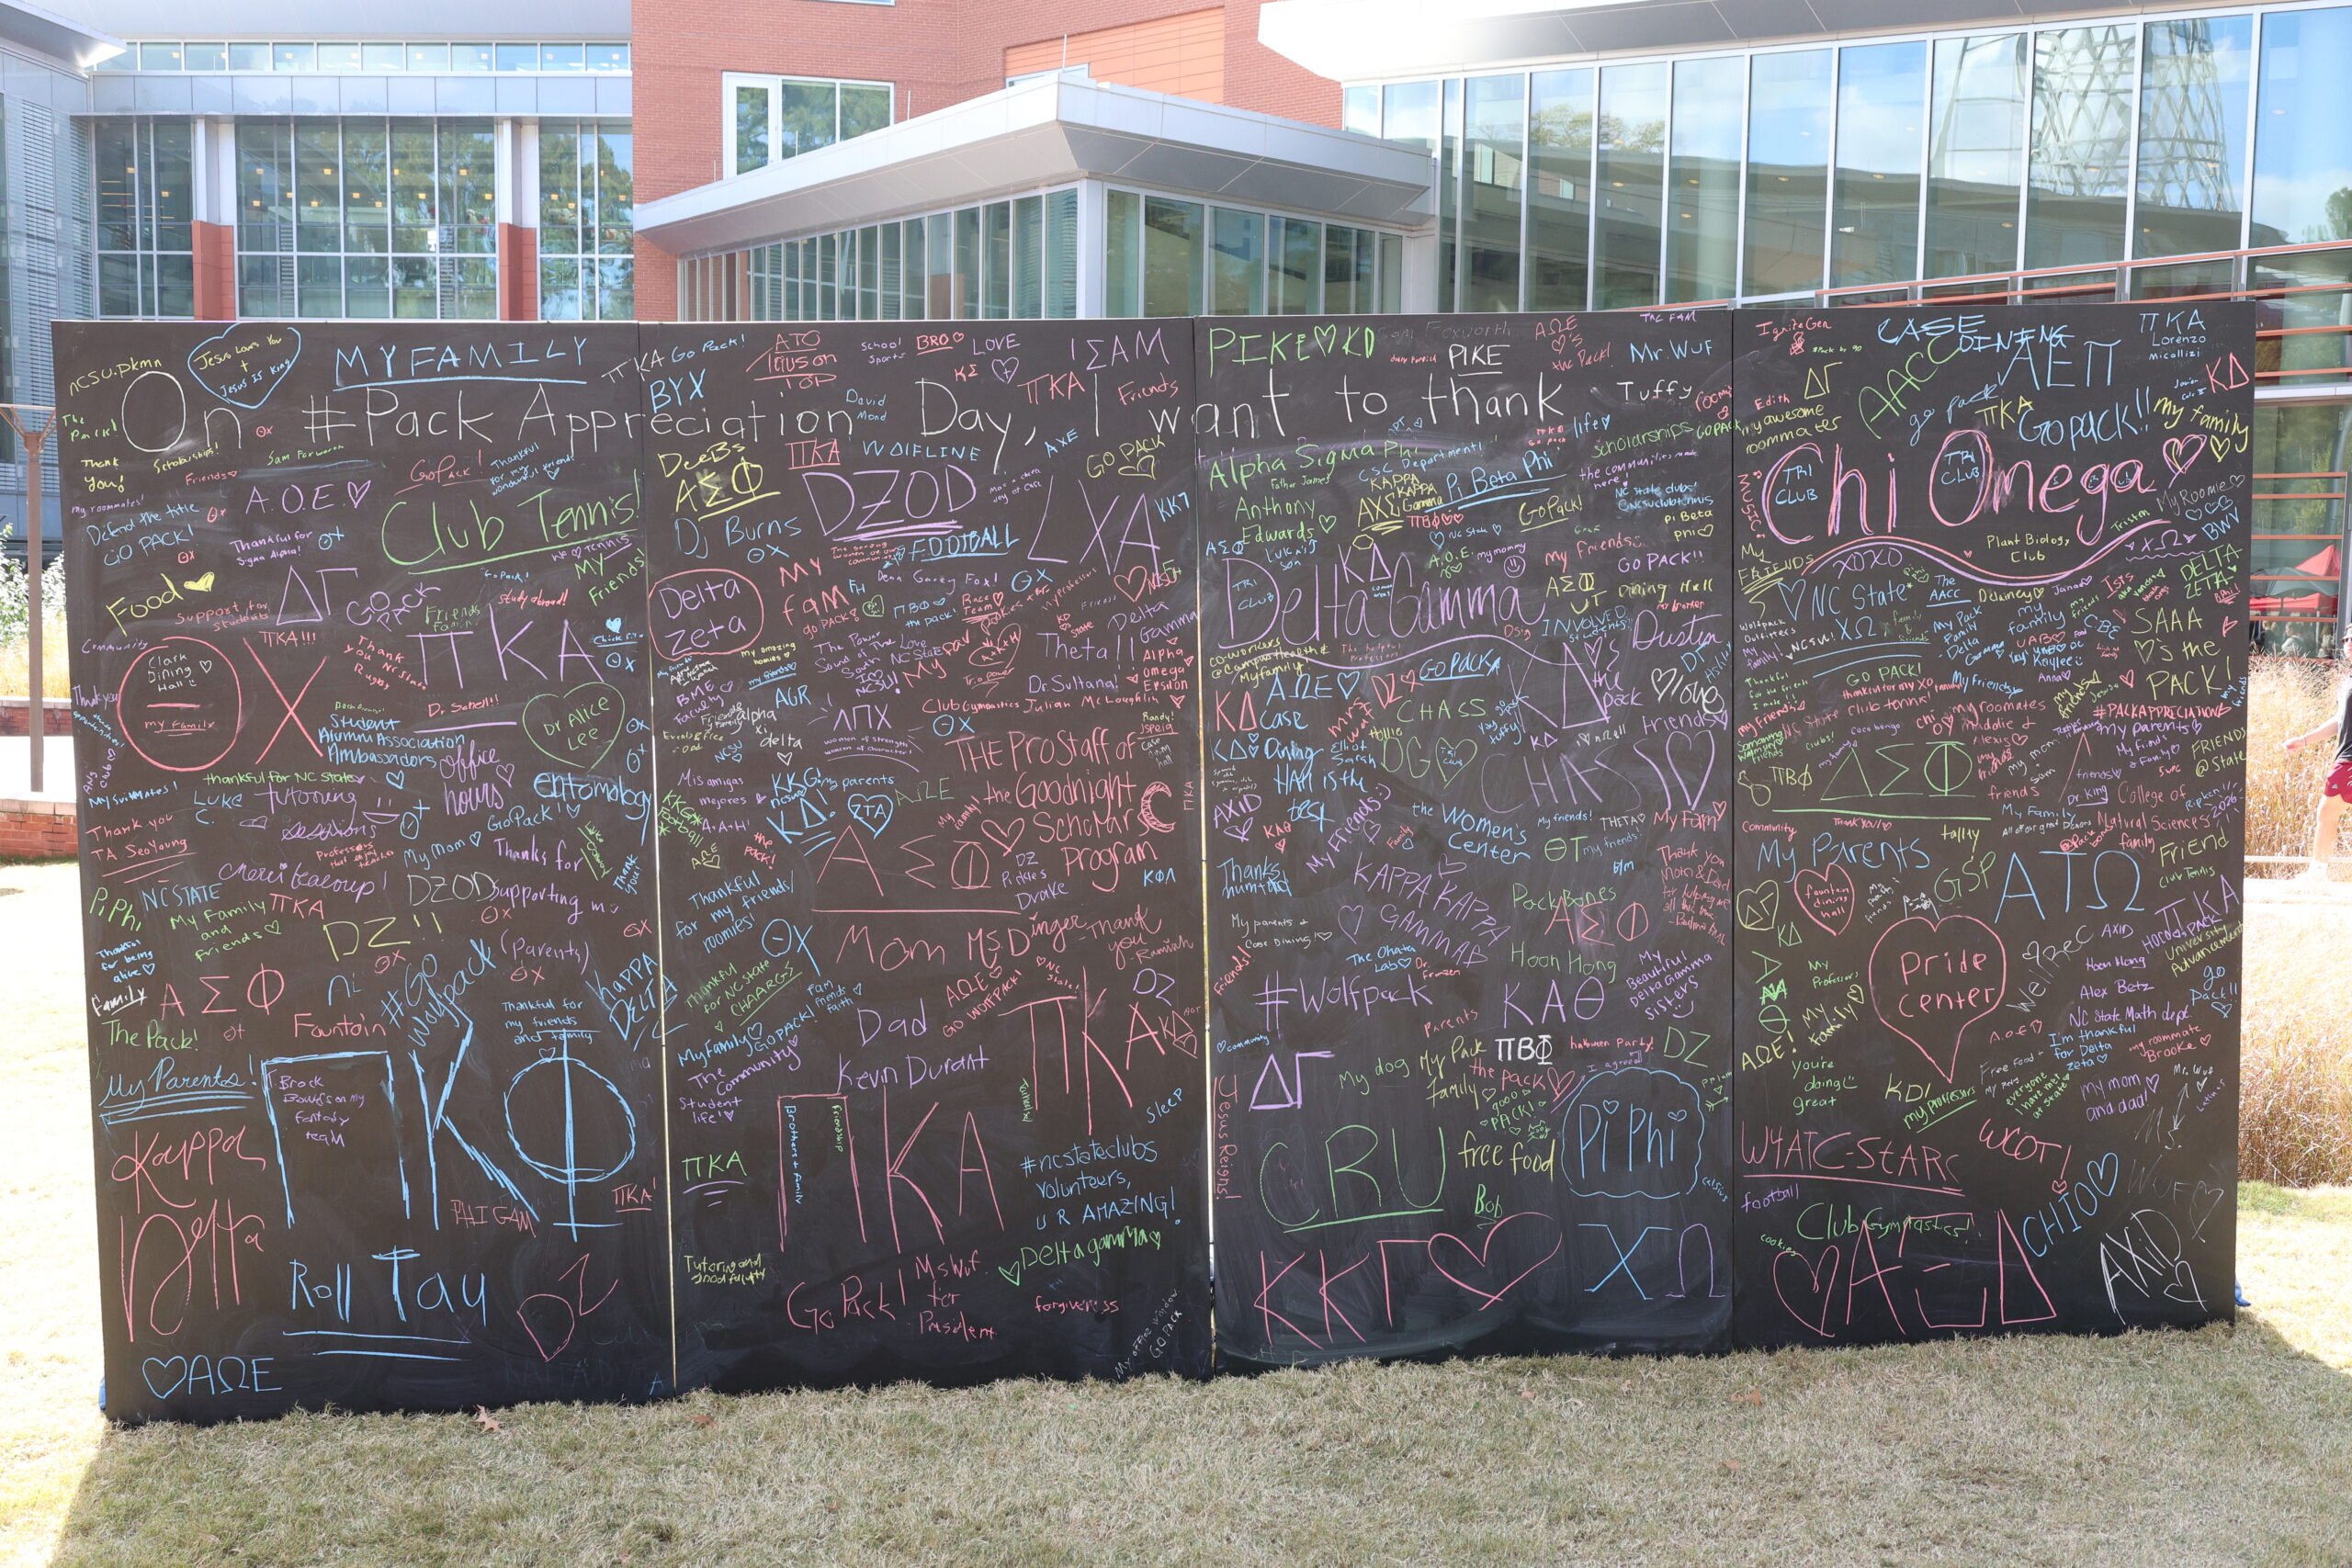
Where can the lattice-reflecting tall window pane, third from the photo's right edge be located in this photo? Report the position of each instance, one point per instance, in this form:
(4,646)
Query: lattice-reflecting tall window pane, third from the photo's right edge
(2083,147)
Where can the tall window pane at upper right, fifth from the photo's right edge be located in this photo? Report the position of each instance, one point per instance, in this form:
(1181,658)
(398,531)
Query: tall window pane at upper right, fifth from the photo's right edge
(1880,102)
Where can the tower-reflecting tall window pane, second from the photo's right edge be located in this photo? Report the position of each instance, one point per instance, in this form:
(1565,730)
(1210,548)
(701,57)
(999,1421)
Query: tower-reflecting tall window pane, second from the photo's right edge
(2193,135)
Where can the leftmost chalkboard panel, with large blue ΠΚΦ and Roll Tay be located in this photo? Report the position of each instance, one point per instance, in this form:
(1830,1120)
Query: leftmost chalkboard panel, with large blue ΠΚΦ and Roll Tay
(361,709)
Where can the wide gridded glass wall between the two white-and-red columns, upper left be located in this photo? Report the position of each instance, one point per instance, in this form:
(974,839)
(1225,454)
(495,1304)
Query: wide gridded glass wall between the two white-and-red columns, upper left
(368,220)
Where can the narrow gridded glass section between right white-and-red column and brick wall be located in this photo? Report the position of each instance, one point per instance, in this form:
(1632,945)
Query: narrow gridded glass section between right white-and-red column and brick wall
(587,246)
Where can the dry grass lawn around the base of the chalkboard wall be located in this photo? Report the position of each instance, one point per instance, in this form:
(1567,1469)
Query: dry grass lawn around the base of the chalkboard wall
(2179,1449)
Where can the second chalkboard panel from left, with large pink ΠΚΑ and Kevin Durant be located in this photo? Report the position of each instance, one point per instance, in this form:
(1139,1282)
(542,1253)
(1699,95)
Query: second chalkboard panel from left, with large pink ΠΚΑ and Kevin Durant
(930,838)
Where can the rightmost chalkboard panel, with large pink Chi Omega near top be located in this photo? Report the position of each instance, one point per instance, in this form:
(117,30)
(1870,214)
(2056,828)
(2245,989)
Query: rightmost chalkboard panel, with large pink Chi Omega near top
(1991,812)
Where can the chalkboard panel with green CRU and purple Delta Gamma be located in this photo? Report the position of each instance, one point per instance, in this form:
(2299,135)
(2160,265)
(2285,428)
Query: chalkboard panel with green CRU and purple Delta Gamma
(1466,634)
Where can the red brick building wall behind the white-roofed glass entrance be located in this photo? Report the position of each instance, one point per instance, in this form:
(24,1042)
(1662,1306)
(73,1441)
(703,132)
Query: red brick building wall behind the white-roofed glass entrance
(930,53)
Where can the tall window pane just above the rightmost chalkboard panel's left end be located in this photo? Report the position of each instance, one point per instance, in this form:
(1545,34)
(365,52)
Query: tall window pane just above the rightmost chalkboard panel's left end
(1789,161)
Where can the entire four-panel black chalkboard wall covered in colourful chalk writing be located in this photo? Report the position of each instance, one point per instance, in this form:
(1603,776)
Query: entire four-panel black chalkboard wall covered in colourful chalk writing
(646,857)
